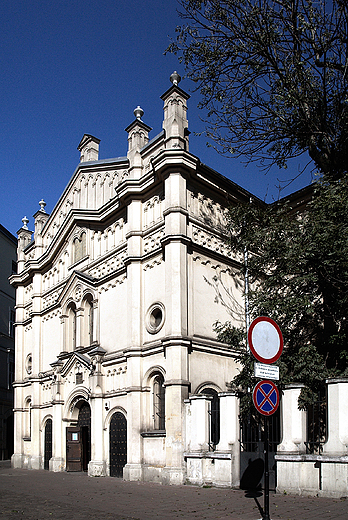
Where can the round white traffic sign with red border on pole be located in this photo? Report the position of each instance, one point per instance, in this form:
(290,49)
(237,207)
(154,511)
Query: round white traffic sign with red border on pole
(265,340)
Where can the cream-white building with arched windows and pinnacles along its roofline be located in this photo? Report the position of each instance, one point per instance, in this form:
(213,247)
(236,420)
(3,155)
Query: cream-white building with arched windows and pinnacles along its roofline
(116,300)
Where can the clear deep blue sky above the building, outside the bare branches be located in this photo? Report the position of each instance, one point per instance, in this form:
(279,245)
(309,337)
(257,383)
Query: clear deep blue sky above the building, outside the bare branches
(71,67)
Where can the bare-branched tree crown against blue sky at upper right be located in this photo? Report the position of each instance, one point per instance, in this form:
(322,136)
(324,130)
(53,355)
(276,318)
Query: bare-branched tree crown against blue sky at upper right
(273,77)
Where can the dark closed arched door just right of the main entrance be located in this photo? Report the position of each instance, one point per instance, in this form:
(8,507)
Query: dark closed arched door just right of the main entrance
(118,444)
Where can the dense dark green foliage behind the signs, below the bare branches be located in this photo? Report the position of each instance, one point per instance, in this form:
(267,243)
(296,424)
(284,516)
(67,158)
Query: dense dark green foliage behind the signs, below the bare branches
(298,271)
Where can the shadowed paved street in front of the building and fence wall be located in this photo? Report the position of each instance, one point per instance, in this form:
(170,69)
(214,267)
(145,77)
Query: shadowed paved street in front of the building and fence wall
(43,495)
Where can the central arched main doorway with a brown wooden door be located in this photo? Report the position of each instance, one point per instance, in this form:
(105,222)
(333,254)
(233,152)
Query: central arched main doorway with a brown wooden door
(78,440)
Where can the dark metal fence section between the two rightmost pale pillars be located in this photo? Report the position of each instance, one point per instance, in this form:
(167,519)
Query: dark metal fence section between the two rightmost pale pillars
(317,423)
